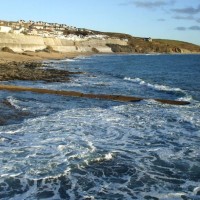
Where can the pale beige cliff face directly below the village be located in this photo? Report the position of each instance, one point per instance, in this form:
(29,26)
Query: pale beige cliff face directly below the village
(21,43)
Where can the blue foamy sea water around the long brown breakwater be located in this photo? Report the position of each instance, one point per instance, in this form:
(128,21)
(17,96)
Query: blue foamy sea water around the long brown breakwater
(56,147)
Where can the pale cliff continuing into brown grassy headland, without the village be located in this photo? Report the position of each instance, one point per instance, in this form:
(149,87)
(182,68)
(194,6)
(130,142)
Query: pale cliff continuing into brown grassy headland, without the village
(114,42)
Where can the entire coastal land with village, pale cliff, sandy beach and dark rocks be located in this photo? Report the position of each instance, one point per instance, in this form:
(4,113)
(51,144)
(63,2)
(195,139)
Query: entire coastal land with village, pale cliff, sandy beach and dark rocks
(23,45)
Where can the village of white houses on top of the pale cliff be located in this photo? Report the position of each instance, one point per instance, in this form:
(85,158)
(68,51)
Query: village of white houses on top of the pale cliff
(45,29)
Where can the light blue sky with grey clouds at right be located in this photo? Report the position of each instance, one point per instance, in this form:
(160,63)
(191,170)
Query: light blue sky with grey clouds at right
(164,19)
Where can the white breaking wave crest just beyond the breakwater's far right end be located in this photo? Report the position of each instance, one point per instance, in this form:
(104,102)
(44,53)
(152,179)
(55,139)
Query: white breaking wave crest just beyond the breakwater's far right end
(154,86)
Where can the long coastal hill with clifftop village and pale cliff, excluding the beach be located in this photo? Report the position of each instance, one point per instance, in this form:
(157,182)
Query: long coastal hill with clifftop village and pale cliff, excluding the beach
(33,36)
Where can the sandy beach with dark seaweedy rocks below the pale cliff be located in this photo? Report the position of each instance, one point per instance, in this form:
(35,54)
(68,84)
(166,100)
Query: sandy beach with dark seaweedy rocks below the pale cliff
(29,67)
